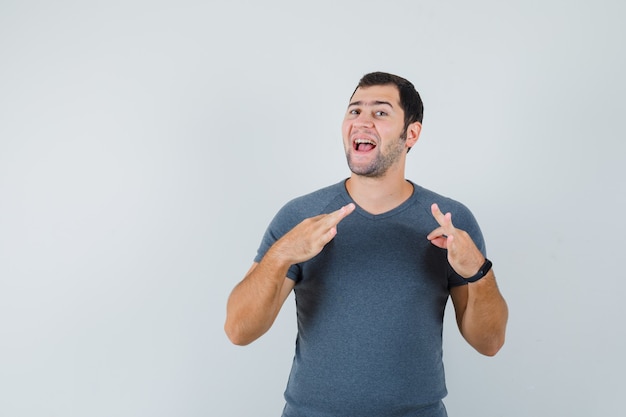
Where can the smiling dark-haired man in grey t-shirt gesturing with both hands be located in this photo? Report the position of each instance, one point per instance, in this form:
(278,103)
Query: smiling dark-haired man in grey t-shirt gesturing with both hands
(372,260)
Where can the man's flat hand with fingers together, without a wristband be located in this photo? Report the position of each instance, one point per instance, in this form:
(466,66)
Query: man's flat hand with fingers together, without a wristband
(309,237)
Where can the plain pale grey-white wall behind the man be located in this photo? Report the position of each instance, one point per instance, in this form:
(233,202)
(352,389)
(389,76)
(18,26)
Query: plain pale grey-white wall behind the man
(145,146)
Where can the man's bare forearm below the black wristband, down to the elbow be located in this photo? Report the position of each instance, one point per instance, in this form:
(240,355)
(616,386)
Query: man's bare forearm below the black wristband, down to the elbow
(484,320)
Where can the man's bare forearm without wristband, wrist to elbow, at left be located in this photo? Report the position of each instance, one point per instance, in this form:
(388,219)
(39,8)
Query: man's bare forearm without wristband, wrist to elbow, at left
(255,302)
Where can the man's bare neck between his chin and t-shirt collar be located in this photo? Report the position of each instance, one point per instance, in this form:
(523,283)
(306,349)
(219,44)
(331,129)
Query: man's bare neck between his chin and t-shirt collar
(379,195)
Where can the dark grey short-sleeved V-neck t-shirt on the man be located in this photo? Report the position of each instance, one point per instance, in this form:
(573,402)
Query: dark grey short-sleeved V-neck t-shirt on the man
(370,307)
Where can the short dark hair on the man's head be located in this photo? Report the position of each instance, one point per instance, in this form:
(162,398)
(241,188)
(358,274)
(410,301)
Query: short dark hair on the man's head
(410,100)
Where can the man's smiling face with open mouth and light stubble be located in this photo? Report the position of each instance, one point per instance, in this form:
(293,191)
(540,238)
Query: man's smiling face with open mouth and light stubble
(373,130)
